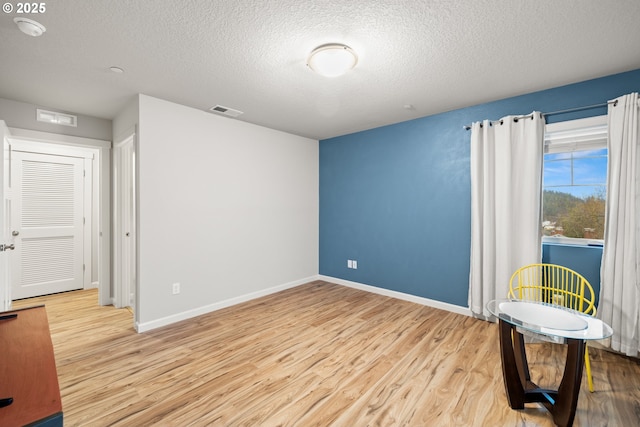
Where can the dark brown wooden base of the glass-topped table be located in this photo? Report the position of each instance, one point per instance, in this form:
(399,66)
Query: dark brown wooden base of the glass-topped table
(520,389)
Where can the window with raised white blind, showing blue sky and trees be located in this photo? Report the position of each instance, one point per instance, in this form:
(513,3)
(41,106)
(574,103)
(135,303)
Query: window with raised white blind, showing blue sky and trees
(574,181)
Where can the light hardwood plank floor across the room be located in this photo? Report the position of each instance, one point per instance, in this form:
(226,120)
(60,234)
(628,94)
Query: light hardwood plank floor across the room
(316,355)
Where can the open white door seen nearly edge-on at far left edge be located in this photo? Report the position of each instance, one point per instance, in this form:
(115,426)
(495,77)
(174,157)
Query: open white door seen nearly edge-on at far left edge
(5,239)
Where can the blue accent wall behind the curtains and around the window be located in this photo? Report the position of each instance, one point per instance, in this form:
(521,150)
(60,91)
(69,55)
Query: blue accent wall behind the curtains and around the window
(397,198)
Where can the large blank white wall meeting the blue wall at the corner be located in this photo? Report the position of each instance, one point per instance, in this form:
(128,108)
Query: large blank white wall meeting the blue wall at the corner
(226,208)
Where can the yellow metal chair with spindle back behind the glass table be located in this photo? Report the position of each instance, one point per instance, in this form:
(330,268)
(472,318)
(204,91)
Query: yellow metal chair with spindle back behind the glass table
(558,285)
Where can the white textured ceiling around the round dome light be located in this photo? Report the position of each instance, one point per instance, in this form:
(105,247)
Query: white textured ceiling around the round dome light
(250,55)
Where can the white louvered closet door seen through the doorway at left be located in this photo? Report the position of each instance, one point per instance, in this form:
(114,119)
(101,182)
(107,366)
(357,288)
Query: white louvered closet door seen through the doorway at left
(47,216)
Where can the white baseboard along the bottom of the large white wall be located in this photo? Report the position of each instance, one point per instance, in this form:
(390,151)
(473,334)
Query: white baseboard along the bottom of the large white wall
(164,321)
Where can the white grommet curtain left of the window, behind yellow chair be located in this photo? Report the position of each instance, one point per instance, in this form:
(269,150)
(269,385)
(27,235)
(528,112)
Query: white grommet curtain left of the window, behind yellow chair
(506,189)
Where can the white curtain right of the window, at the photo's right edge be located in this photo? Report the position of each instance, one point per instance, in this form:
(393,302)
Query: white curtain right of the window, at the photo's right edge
(620,274)
